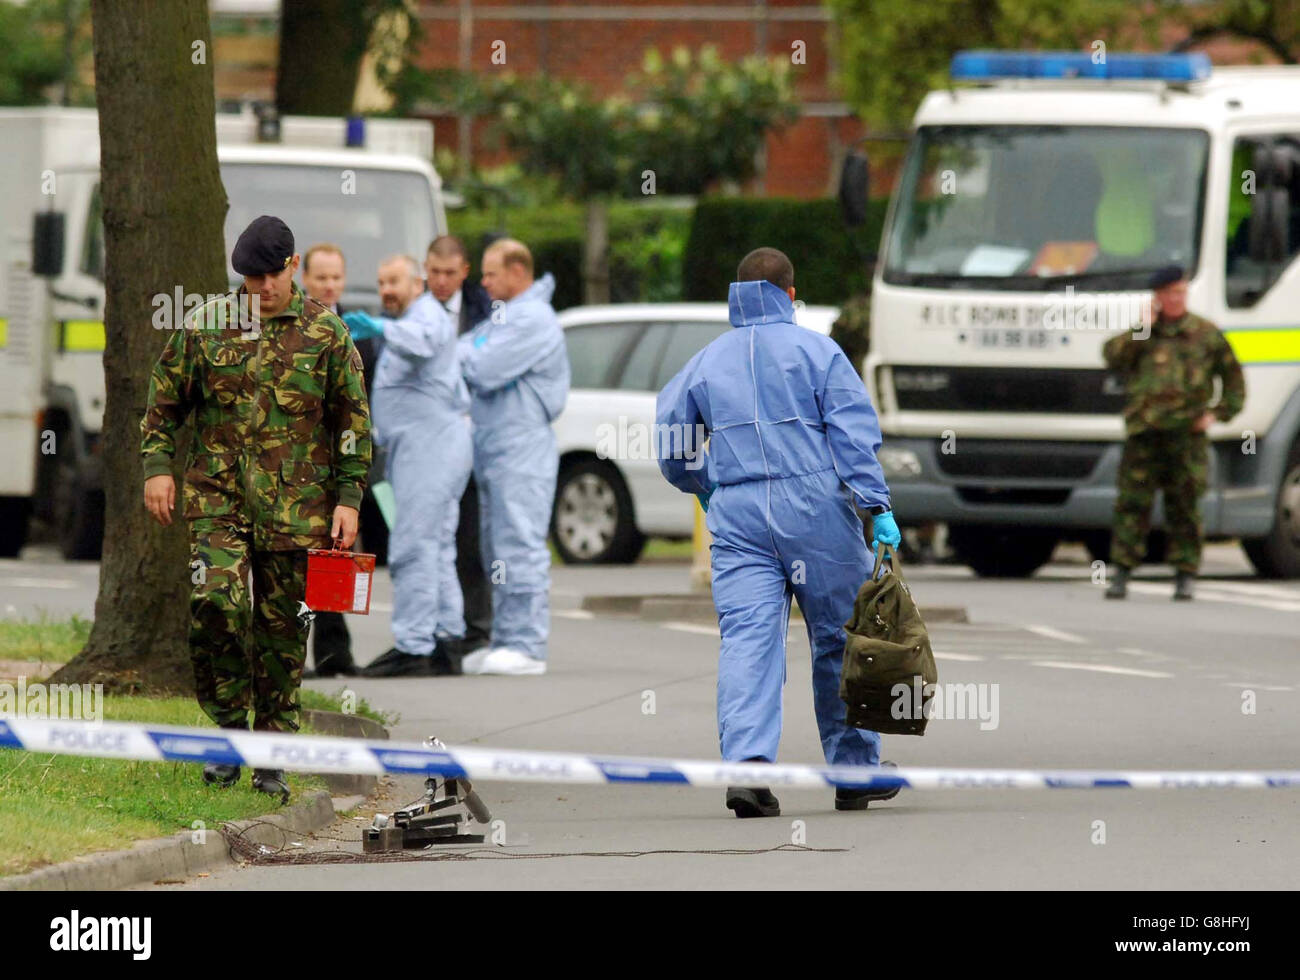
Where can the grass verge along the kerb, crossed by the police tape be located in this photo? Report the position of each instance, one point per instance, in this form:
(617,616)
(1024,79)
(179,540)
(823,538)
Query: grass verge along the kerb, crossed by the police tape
(55,808)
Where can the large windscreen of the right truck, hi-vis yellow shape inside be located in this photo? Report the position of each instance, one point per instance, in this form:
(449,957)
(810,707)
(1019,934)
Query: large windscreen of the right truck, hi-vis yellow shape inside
(1042,207)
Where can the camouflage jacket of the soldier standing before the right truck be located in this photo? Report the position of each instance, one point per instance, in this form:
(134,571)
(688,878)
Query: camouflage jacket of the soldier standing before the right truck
(1169,376)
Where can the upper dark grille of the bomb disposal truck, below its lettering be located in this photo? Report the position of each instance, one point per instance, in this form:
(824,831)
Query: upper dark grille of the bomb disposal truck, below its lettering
(964,389)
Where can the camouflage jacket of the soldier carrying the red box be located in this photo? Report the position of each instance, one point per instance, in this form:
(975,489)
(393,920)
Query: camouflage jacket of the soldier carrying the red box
(283,427)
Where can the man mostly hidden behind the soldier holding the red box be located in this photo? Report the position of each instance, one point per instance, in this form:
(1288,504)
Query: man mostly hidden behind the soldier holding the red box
(324,277)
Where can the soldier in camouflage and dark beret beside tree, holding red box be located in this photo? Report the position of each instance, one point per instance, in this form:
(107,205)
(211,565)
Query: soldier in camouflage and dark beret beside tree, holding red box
(278,466)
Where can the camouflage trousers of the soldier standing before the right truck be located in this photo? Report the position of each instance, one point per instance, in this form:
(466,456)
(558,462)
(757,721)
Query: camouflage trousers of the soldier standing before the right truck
(1176,462)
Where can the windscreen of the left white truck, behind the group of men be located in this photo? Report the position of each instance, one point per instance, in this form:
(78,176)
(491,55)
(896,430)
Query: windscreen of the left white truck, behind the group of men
(370,218)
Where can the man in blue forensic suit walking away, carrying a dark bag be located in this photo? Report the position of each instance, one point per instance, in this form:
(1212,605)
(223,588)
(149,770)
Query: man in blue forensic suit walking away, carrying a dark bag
(794,444)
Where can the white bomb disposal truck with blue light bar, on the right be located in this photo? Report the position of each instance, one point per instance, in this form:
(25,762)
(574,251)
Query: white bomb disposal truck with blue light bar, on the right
(1030,214)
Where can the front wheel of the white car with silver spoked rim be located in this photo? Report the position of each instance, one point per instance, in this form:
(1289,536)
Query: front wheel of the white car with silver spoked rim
(593,521)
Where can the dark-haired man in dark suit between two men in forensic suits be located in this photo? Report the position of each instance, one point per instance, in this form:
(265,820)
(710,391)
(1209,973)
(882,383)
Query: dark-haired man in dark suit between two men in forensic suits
(448,274)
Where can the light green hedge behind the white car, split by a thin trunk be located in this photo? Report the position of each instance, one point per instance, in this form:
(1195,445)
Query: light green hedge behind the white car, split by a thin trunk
(647,244)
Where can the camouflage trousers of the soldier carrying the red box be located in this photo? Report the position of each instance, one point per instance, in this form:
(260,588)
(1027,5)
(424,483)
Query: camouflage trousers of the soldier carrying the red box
(248,647)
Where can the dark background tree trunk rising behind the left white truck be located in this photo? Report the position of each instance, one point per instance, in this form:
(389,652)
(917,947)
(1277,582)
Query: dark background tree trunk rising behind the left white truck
(322,46)
